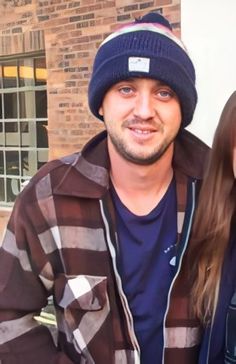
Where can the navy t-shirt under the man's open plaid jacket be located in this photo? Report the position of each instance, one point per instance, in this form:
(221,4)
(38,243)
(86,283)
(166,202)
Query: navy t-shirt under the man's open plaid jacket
(145,260)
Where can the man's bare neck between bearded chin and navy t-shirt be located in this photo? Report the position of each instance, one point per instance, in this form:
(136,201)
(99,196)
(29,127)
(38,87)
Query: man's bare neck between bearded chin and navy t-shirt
(140,187)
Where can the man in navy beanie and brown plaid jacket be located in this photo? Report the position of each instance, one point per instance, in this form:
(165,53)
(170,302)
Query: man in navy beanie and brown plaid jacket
(104,231)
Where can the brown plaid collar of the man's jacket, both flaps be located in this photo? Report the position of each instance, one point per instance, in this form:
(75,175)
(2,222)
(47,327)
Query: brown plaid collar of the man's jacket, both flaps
(86,174)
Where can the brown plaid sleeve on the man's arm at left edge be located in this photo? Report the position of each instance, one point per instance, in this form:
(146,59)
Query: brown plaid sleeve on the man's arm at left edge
(24,287)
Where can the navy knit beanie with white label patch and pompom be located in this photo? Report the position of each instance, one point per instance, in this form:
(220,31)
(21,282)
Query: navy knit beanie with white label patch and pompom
(145,48)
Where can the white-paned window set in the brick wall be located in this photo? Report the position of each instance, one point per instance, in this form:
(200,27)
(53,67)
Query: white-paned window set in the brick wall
(23,123)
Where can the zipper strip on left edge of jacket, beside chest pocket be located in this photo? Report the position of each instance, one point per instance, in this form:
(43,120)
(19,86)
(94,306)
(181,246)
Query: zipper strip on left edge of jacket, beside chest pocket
(128,314)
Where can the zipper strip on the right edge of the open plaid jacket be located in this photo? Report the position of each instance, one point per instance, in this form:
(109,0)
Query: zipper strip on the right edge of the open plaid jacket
(179,266)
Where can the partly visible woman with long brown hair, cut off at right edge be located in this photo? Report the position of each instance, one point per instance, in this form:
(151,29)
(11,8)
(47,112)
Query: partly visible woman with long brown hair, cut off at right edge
(213,257)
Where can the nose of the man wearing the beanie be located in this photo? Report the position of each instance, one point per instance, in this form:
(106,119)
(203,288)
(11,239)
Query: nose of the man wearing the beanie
(144,107)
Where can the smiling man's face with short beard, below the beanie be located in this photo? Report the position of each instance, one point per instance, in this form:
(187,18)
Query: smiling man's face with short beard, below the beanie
(142,117)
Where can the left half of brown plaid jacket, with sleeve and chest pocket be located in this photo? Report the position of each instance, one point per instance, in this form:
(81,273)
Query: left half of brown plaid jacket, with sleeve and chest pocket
(55,245)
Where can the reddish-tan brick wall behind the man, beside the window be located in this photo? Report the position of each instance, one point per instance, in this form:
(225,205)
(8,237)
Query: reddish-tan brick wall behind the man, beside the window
(69,31)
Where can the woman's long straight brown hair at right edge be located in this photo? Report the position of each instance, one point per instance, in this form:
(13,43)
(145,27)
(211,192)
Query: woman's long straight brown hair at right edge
(214,215)
